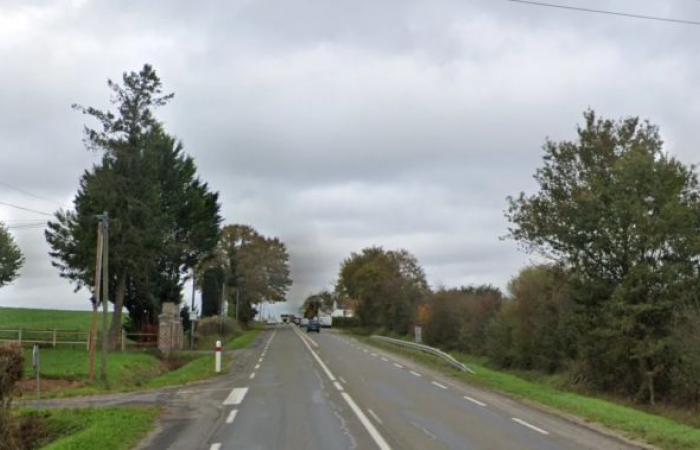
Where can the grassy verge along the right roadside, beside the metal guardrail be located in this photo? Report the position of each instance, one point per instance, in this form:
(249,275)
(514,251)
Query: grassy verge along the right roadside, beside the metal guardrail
(656,430)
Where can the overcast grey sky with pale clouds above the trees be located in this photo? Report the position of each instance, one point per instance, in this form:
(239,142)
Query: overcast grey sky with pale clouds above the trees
(336,125)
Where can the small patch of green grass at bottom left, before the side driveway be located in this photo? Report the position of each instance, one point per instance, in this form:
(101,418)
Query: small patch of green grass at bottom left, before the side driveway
(105,428)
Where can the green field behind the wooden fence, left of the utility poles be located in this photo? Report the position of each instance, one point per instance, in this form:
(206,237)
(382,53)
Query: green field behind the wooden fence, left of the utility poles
(44,319)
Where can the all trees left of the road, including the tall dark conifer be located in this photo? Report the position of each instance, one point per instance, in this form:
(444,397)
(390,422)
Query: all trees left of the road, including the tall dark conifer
(165,225)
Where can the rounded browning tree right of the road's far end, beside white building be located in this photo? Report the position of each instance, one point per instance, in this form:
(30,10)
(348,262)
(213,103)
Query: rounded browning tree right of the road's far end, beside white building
(388,286)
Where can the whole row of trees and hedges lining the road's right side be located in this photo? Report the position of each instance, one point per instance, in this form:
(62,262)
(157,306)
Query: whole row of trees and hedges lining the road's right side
(614,305)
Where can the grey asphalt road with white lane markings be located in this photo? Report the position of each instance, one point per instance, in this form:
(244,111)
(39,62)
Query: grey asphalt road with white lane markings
(328,391)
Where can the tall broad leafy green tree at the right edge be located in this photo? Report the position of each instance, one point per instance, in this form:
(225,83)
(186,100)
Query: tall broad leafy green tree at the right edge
(625,218)
